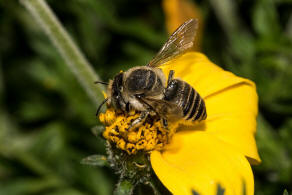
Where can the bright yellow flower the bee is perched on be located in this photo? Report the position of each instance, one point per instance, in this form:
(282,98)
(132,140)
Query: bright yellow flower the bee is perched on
(216,151)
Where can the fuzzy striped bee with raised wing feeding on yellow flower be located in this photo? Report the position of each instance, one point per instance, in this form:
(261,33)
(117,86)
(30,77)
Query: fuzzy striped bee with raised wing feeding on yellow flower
(145,89)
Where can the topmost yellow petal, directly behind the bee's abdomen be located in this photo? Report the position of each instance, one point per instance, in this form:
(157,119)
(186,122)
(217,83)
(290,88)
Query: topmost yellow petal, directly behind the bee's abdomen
(199,71)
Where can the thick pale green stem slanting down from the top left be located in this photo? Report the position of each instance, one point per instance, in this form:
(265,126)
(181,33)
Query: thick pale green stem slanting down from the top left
(63,42)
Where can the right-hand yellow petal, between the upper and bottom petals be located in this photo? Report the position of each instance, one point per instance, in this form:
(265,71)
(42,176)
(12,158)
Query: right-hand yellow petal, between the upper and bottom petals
(232,117)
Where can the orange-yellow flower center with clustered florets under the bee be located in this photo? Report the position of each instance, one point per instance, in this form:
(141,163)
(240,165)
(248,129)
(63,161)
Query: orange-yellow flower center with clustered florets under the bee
(151,135)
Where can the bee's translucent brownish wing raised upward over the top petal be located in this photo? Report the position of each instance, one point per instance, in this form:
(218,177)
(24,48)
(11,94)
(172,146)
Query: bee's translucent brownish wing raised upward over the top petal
(178,43)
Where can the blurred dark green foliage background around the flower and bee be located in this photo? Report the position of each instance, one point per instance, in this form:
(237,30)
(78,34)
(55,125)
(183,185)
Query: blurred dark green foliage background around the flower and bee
(45,115)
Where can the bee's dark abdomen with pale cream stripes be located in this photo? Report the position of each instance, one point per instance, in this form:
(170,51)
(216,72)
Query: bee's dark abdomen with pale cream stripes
(187,99)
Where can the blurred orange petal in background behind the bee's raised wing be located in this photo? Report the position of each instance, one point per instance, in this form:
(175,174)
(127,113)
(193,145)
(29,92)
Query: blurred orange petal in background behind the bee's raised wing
(179,11)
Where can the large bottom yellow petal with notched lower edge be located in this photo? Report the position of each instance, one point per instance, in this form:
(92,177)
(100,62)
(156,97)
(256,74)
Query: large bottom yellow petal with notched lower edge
(200,161)
